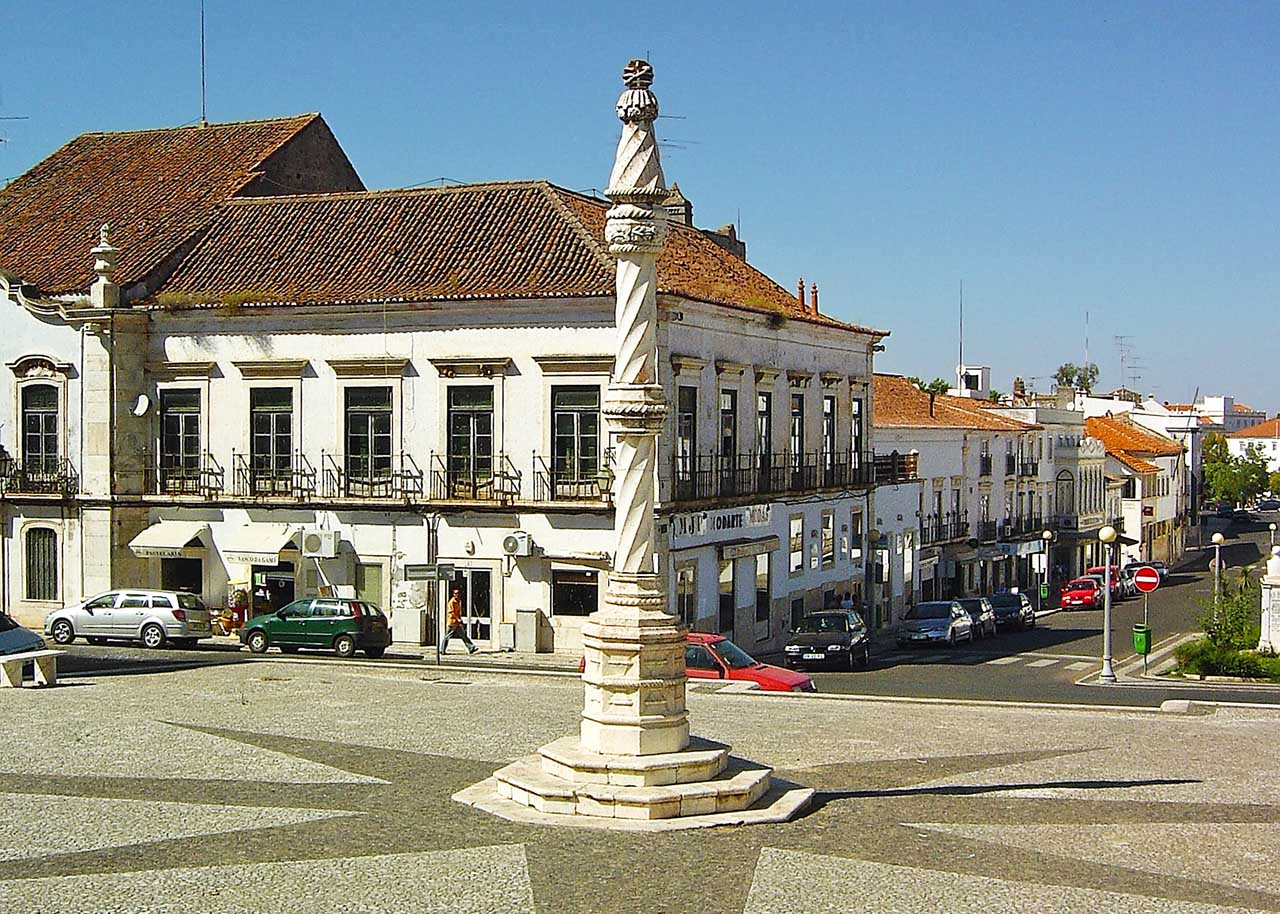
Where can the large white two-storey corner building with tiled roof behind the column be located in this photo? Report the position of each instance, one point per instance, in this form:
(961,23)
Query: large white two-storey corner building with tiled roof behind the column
(318,391)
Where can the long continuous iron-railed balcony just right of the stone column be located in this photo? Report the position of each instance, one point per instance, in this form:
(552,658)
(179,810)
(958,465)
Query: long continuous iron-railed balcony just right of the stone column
(705,477)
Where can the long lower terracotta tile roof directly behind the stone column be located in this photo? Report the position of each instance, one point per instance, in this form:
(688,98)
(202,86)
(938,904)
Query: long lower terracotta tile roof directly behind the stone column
(502,240)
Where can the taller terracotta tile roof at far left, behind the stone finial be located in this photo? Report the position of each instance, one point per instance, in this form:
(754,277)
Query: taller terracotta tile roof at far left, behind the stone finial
(156,188)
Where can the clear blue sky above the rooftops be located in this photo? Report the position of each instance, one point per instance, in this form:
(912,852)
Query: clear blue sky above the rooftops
(1113,158)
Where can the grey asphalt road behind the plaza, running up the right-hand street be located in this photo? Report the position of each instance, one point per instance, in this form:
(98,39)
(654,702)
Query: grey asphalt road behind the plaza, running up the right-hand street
(1058,661)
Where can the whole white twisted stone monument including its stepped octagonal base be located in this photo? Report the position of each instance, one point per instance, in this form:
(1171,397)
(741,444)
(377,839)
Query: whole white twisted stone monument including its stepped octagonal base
(634,765)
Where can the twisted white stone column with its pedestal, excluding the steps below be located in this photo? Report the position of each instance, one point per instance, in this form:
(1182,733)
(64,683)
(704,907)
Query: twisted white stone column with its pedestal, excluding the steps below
(636,652)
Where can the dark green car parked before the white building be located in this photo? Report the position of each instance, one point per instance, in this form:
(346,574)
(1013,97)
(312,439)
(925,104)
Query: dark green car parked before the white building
(341,625)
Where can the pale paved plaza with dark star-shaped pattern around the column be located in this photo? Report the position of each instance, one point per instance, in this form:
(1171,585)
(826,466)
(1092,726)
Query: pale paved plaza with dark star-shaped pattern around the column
(327,788)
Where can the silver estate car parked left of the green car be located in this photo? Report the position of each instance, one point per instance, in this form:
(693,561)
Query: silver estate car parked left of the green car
(154,618)
